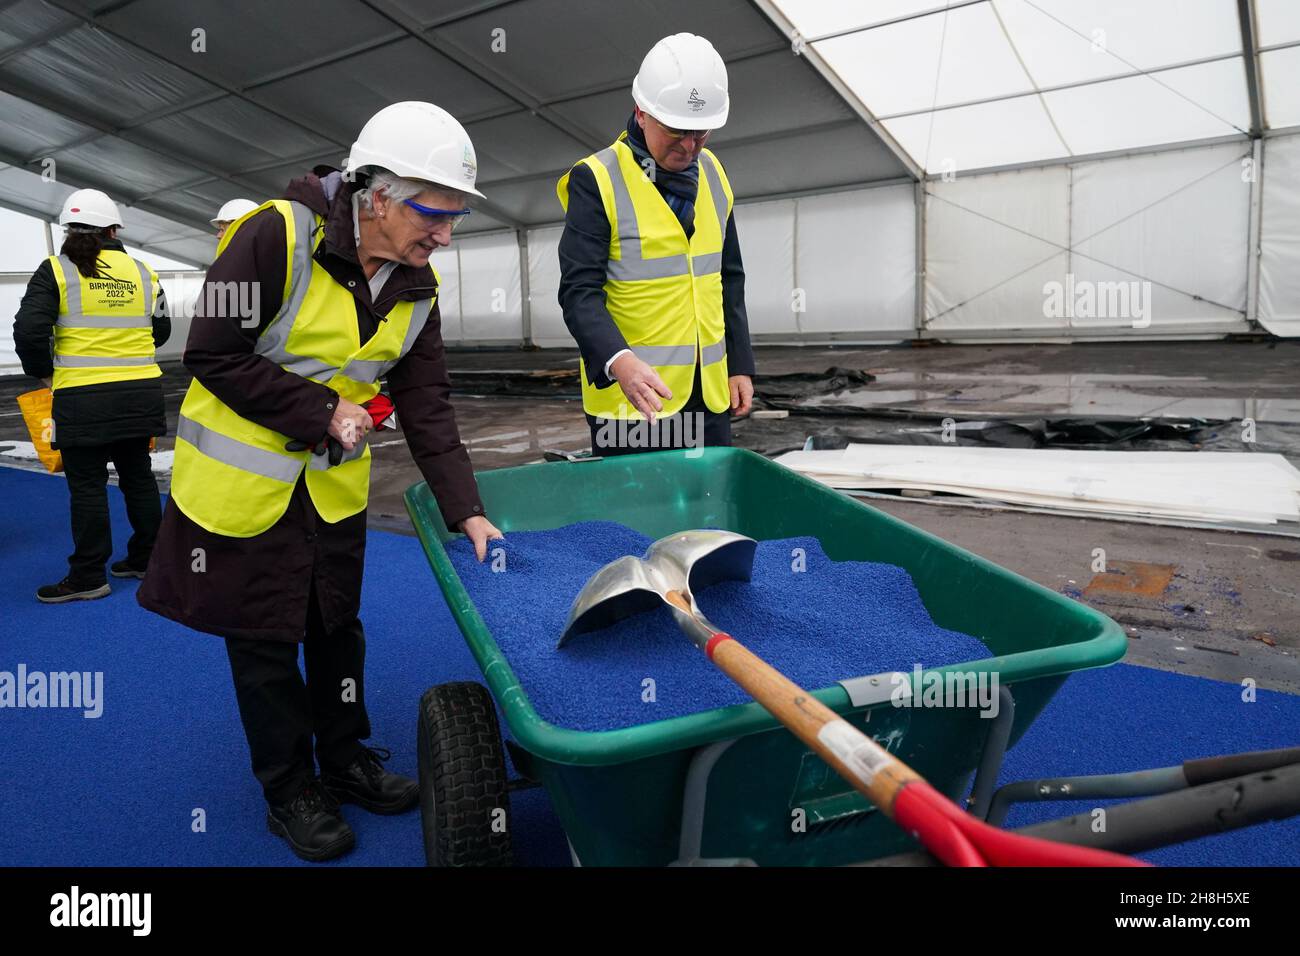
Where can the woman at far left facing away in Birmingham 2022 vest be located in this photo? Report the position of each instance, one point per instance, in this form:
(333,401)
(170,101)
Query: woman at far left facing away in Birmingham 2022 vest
(88,328)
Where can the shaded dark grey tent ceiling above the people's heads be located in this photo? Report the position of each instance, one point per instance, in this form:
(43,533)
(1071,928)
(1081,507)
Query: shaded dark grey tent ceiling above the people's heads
(116,94)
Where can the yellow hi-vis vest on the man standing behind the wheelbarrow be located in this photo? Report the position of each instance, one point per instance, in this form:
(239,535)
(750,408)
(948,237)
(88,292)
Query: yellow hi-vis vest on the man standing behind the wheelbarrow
(665,292)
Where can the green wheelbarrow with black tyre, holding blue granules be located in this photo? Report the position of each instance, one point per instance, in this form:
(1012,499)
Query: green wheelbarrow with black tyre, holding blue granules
(730,785)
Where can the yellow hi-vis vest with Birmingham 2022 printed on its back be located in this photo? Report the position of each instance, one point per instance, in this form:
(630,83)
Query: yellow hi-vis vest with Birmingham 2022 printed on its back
(106,323)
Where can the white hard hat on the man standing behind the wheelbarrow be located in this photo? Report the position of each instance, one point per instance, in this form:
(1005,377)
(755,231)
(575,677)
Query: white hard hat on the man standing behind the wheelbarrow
(683,84)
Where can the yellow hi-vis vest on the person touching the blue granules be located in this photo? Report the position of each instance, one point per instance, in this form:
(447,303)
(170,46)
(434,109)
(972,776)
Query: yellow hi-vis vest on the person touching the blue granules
(235,477)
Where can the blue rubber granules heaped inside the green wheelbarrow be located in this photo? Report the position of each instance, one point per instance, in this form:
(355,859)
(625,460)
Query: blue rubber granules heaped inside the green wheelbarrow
(827,622)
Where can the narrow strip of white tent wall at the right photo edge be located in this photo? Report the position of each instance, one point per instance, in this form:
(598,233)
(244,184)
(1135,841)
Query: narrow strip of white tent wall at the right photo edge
(1280,237)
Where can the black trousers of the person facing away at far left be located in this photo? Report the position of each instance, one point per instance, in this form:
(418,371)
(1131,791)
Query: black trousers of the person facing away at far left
(86,469)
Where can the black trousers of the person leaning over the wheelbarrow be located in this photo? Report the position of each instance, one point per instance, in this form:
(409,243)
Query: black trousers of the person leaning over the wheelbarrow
(281,712)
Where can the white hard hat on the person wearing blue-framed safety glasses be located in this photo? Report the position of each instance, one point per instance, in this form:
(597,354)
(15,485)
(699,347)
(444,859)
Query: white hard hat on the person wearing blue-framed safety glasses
(418,141)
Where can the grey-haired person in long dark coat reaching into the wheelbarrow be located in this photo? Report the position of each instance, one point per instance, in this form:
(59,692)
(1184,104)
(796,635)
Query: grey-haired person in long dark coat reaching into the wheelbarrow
(315,300)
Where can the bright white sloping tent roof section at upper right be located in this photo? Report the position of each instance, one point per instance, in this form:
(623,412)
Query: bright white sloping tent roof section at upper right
(973,84)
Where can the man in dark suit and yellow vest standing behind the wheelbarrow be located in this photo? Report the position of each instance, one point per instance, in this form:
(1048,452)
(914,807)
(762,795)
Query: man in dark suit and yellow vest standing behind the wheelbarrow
(652,282)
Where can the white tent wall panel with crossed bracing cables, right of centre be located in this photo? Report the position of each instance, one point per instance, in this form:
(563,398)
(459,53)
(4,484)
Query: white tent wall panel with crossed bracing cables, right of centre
(1175,219)
